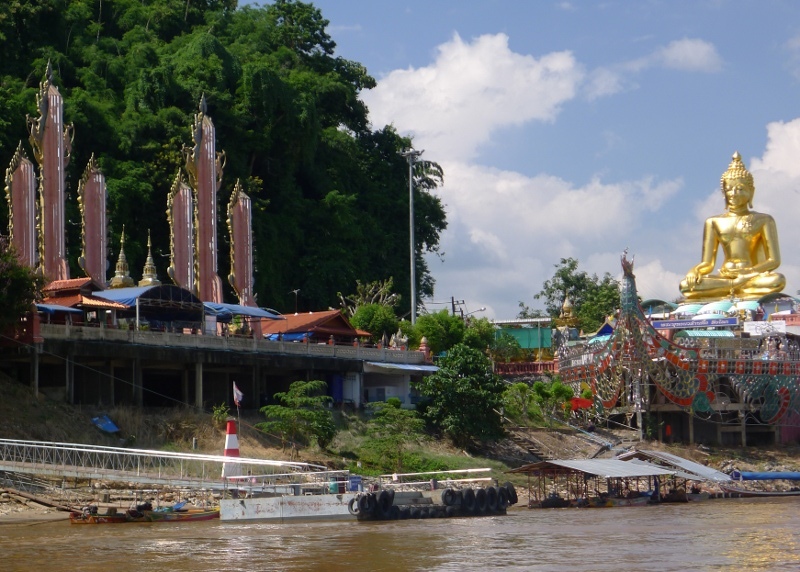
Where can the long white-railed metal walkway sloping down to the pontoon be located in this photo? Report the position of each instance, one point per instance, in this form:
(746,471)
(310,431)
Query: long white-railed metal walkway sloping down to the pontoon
(140,466)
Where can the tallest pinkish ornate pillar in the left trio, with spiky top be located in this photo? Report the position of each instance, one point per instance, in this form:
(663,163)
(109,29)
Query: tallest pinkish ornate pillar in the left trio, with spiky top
(52,145)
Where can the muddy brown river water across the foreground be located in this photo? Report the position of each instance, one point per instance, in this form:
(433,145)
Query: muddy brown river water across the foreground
(722,534)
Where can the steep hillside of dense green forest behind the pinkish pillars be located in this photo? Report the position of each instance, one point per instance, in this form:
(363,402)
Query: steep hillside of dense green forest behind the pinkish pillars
(330,190)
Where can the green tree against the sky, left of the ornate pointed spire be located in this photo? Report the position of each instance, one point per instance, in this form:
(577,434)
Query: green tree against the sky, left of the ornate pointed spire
(593,298)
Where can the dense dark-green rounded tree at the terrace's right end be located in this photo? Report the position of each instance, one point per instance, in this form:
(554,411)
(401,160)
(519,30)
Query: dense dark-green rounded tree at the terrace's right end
(463,397)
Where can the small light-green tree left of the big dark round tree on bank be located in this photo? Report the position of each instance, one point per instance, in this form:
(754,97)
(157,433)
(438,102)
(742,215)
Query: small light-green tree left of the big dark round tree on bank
(392,430)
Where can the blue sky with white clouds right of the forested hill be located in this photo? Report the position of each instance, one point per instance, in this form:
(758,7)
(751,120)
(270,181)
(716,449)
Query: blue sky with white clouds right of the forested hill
(583,129)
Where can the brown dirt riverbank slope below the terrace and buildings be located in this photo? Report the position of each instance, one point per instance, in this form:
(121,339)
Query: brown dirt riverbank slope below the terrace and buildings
(23,416)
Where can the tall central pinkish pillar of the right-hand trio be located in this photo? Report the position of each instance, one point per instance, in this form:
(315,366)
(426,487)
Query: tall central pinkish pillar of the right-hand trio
(204,166)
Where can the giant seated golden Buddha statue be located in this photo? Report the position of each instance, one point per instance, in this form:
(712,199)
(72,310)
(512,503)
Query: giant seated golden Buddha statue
(749,242)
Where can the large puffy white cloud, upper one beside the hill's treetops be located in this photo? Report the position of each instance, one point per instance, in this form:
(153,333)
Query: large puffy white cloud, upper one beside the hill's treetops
(471,90)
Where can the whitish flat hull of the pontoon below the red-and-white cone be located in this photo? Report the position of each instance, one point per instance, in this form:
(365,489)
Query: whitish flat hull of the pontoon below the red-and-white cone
(284,508)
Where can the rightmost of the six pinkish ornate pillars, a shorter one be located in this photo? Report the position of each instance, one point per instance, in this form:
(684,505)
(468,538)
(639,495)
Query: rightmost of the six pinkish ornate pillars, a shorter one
(240,229)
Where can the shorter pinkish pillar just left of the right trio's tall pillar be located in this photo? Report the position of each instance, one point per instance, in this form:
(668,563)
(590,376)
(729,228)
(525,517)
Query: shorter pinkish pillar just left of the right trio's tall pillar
(180,214)
